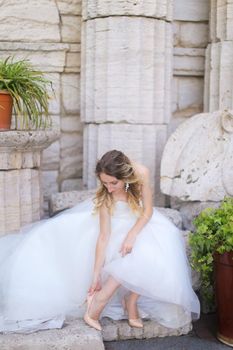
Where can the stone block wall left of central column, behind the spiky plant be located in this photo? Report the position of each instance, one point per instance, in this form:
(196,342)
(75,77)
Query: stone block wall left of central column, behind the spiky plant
(48,33)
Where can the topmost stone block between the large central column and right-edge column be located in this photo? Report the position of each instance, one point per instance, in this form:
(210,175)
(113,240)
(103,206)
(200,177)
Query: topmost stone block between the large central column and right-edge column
(191,10)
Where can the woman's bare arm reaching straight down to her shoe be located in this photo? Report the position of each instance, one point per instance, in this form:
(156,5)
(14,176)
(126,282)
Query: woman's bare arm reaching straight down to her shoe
(102,241)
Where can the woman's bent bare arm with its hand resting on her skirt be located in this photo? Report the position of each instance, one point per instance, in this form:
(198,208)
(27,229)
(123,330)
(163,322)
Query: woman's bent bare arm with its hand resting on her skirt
(147,213)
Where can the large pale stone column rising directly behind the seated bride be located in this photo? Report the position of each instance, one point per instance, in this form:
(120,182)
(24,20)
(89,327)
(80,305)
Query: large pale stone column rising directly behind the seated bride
(125,81)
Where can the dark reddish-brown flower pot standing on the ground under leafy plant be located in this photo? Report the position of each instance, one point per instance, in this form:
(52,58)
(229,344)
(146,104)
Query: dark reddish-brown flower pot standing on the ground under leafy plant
(224,296)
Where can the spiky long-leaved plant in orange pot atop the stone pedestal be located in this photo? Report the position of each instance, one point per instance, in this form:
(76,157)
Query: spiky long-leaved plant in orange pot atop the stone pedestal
(25,88)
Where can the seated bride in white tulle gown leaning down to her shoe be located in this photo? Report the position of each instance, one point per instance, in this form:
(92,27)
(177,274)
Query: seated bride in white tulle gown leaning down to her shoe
(121,255)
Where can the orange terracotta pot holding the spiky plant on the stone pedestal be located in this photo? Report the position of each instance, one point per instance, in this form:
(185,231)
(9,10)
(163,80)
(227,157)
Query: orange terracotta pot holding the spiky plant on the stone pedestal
(6,103)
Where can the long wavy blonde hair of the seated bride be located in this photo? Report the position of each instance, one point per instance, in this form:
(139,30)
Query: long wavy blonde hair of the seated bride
(116,163)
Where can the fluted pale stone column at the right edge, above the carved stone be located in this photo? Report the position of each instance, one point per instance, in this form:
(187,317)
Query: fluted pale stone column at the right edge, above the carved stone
(219,58)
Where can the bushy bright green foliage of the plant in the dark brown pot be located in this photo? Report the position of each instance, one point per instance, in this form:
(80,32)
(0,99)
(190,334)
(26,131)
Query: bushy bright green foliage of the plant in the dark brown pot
(214,234)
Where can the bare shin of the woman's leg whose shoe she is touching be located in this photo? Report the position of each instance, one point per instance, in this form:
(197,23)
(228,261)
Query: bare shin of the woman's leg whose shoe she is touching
(102,297)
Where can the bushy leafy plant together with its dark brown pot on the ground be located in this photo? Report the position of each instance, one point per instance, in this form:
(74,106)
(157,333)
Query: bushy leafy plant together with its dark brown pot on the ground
(212,257)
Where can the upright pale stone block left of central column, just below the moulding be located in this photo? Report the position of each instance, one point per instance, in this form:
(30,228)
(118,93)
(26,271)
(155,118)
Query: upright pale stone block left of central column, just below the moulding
(71,93)
